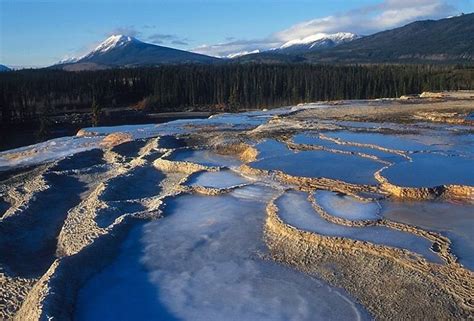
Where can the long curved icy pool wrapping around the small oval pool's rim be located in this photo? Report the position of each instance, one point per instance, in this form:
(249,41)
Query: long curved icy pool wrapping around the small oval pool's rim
(296,210)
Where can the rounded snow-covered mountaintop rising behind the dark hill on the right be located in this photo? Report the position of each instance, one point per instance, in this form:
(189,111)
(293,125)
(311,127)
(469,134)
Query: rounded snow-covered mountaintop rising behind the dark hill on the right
(316,41)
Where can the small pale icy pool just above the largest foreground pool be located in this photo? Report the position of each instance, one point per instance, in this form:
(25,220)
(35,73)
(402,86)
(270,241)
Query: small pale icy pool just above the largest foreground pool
(220,179)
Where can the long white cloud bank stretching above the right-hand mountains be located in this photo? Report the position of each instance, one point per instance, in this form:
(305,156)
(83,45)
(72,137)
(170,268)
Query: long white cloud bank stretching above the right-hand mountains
(366,20)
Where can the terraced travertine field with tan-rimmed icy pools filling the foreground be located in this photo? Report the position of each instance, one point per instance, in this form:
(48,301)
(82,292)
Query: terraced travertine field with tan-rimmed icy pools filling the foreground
(68,207)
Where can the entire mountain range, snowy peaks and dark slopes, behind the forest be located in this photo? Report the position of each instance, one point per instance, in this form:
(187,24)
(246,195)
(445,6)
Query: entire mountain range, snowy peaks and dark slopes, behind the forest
(449,40)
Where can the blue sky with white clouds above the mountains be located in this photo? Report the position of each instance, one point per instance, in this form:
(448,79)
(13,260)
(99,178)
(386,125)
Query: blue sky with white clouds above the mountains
(40,33)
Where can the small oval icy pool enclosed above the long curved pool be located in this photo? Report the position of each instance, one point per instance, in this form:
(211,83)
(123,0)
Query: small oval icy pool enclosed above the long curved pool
(347,207)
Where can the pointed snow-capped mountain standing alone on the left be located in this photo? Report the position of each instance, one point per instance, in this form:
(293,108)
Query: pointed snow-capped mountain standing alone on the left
(123,51)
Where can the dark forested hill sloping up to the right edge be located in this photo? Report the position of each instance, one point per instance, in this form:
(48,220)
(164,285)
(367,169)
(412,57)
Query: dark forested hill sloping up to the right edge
(449,40)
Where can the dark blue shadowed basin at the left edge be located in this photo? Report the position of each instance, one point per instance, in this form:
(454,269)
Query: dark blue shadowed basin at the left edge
(28,238)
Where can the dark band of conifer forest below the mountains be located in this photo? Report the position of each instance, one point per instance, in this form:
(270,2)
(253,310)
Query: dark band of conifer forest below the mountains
(30,94)
